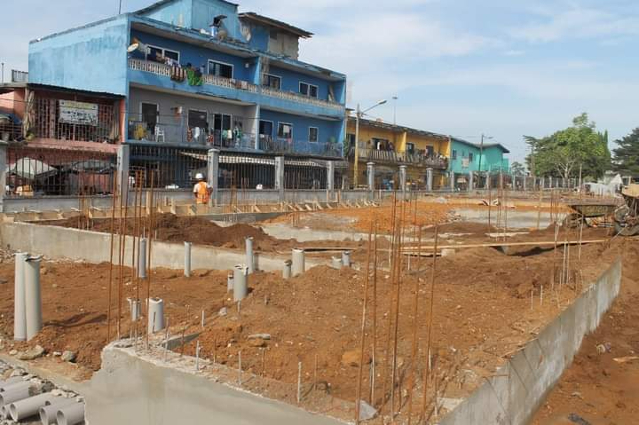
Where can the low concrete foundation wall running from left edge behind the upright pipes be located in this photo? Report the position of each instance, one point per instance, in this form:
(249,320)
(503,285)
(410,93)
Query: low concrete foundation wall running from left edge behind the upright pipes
(94,247)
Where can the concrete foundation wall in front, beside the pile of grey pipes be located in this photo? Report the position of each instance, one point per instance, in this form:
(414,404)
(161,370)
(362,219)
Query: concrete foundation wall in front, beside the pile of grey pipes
(131,390)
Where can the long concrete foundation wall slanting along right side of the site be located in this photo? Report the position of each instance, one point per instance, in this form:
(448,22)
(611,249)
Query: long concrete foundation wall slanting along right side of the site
(515,392)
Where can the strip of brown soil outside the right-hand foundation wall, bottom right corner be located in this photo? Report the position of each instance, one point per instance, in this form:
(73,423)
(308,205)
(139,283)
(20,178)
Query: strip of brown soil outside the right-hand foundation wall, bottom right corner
(596,389)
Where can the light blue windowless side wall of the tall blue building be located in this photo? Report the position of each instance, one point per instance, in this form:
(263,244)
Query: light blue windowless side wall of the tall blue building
(92,58)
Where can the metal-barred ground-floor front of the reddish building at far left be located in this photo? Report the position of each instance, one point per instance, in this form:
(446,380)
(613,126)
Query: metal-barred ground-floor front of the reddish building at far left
(35,171)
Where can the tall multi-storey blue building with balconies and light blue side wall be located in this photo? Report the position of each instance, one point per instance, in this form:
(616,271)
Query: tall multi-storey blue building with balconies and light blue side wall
(198,74)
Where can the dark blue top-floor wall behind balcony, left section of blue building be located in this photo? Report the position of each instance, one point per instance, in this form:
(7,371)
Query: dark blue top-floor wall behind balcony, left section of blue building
(199,55)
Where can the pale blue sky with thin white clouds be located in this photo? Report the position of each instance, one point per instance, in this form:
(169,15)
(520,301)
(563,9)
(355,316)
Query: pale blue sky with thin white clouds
(502,68)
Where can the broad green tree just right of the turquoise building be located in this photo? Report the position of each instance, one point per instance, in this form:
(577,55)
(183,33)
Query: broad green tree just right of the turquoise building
(564,152)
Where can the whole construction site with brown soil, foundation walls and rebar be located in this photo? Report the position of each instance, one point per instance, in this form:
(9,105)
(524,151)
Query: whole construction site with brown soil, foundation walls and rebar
(371,307)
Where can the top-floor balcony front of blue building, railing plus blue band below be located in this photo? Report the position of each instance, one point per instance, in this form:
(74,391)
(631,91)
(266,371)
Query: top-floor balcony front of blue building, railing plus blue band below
(242,90)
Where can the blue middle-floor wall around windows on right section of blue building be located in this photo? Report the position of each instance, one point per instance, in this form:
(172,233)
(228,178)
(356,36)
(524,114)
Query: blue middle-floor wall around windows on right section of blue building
(327,129)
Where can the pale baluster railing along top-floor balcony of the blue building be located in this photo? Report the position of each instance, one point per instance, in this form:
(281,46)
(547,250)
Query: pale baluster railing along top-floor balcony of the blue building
(165,70)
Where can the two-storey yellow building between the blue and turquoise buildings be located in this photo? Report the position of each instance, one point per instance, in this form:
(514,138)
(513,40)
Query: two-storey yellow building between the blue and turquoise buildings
(390,146)
